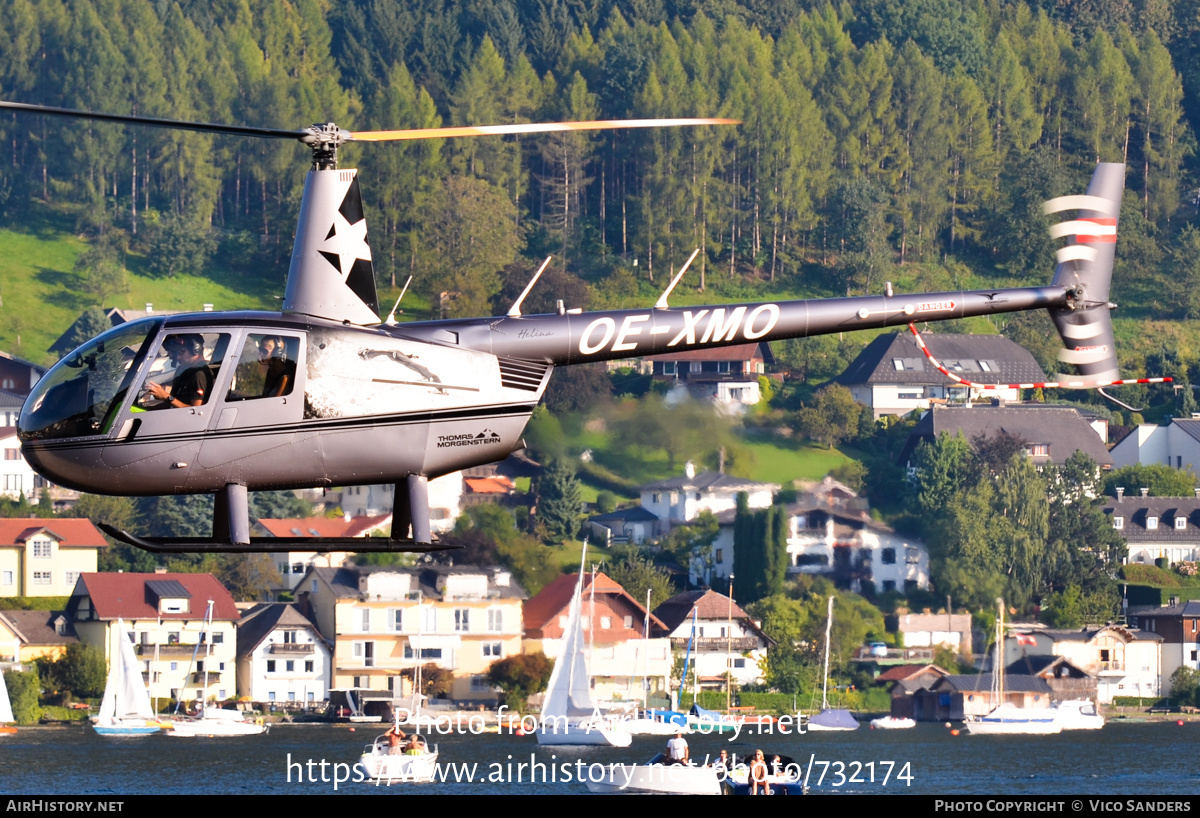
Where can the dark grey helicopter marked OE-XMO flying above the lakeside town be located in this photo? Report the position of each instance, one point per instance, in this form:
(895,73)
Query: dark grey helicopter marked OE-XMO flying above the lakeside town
(181,405)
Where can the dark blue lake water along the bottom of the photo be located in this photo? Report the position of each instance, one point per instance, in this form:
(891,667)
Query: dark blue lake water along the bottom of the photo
(1121,760)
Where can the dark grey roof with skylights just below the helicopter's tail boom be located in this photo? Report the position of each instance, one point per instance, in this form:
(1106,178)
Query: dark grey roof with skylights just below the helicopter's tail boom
(983,359)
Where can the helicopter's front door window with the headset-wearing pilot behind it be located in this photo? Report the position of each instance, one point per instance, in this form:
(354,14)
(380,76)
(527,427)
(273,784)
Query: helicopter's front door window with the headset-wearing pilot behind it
(184,372)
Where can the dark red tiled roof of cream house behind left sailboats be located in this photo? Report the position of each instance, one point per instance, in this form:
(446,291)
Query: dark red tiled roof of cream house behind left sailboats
(127,596)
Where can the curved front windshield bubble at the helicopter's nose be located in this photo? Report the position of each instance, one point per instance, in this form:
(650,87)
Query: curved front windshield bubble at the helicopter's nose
(83,393)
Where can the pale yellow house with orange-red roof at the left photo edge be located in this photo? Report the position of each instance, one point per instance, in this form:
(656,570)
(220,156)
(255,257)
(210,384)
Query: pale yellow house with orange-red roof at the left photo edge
(47,557)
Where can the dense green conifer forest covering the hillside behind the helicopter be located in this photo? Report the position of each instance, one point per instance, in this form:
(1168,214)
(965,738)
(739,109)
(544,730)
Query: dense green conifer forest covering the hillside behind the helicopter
(875,135)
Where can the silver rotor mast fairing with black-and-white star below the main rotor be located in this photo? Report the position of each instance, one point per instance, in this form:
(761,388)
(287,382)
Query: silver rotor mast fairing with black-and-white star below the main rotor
(332,275)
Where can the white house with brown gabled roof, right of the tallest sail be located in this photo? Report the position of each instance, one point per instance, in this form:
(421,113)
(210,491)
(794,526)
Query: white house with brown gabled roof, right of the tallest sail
(727,640)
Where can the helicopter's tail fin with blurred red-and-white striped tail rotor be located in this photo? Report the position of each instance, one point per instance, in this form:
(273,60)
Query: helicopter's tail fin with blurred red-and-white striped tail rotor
(1085,266)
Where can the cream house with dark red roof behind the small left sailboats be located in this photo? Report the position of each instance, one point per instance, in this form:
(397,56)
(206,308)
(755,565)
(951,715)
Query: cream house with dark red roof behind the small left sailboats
(183,657)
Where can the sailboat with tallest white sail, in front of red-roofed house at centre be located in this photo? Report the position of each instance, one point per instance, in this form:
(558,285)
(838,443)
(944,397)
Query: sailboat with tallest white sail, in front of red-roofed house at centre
(568,715)
